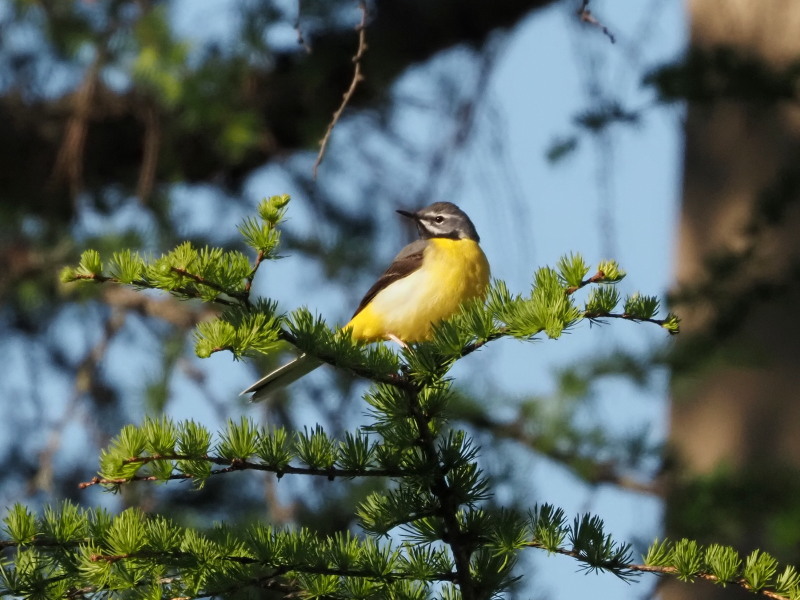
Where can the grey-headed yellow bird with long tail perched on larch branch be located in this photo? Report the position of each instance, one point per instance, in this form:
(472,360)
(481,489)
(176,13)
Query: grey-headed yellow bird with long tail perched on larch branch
(426,283)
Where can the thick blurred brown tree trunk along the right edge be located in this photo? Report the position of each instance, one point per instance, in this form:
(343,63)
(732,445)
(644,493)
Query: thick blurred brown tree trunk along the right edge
(735,413)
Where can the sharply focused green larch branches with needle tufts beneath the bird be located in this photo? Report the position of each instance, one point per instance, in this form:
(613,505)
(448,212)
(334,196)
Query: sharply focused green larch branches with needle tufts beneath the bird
(445,541)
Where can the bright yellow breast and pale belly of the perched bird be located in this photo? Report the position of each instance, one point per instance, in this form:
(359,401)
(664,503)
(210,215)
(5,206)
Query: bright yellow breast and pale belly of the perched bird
(452,272)
